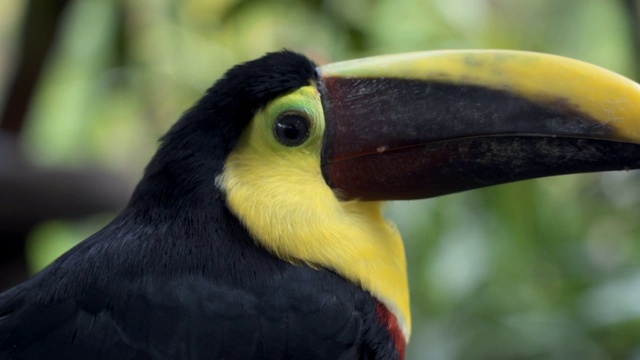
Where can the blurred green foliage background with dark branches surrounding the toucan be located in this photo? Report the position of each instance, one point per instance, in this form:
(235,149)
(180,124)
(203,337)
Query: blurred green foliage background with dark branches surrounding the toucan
(543,269)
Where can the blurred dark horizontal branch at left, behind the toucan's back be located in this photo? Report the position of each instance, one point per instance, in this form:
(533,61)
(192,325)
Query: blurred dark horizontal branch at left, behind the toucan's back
(30,195)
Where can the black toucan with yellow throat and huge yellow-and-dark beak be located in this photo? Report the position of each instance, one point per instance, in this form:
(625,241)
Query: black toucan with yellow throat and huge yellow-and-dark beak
(257,232)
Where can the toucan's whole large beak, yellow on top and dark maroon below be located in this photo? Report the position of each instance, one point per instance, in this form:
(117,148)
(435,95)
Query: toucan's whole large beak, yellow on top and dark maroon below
(426,124)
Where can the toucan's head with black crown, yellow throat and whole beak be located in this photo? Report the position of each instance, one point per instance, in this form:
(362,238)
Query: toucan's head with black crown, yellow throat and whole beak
(304,156)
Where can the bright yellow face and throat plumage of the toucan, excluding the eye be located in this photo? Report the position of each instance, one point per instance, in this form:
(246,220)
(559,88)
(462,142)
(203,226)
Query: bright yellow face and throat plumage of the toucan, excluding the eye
(280,195)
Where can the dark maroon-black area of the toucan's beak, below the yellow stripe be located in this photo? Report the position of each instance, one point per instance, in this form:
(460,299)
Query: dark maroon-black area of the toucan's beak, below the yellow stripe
(406,139)
